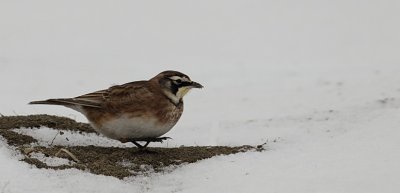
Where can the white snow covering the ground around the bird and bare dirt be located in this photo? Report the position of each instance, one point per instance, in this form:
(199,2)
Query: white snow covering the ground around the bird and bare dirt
(317,80)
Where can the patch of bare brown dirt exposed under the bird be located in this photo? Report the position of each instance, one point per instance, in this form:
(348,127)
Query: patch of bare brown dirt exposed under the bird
(110,161)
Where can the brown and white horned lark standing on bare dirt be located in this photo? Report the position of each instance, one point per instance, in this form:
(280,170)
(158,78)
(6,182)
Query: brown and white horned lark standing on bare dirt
(135,111)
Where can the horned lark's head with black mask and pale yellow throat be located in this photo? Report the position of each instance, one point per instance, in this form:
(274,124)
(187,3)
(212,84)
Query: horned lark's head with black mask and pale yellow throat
(175,85)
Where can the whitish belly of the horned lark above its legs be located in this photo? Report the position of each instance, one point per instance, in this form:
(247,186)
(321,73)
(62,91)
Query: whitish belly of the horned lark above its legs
(137,127)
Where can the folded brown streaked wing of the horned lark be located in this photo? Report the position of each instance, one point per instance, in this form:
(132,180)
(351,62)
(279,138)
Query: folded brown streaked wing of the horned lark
(133,92)
